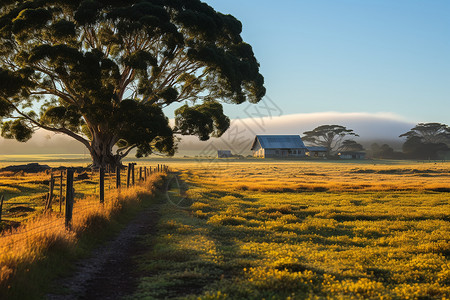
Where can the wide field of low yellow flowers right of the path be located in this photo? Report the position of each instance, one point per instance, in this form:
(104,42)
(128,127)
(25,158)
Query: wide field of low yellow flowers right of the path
(302,230)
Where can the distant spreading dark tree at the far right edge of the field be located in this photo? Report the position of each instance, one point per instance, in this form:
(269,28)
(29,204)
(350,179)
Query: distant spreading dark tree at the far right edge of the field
(427,141)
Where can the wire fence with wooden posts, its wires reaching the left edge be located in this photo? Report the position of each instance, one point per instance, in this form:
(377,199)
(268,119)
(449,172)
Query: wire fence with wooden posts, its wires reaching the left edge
(63,205)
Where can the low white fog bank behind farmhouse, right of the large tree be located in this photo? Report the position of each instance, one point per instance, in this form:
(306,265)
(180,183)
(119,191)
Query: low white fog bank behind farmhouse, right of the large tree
(378,127)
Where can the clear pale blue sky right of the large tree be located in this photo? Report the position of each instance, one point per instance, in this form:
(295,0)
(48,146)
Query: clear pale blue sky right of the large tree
(350,55)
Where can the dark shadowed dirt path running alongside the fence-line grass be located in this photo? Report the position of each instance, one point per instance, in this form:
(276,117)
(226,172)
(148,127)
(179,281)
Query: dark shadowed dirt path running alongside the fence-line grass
(111,273)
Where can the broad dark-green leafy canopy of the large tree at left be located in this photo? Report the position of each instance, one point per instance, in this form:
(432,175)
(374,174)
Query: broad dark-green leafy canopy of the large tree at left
(101,72)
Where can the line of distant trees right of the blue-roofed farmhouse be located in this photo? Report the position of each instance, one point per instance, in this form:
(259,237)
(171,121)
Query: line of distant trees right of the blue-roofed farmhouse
(424,141)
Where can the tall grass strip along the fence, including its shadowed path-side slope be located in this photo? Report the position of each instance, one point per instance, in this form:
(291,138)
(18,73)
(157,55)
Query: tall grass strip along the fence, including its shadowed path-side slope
(43,248)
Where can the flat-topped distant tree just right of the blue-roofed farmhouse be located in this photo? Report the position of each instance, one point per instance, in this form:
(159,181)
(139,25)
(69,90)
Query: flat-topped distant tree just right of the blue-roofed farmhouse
(329,136)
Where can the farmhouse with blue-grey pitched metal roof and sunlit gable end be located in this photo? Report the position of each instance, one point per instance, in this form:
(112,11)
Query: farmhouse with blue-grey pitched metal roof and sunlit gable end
(278,146)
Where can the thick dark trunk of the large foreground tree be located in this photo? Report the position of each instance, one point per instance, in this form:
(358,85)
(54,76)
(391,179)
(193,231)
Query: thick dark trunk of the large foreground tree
(102,155)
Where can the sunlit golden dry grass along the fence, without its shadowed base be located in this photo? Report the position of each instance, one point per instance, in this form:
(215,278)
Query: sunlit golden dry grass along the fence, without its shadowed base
(30,243)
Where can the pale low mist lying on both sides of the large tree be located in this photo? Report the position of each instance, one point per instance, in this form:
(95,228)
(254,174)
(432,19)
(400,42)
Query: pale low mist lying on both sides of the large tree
(378,127)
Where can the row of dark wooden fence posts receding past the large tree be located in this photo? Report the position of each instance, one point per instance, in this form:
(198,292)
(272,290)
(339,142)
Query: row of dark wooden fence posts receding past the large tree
(65,181)
